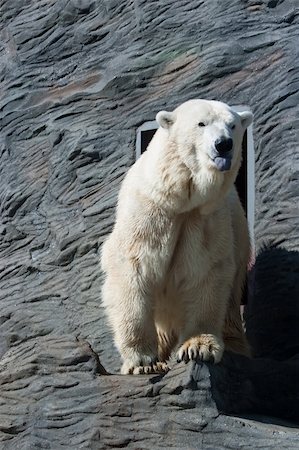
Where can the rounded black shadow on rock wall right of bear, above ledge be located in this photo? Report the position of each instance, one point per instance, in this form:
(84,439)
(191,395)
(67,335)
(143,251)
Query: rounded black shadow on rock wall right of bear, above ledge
(272,312)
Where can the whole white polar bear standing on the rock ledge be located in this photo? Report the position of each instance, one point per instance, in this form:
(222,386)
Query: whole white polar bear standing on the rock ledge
(175,262)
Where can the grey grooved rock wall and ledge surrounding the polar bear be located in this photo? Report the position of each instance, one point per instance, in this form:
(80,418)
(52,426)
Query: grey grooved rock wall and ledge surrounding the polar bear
(77,78)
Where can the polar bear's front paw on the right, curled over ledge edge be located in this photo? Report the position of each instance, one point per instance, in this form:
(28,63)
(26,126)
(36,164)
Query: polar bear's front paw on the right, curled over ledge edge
(206,347)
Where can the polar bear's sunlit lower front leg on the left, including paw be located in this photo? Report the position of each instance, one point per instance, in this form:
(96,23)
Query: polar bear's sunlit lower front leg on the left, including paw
(130,315)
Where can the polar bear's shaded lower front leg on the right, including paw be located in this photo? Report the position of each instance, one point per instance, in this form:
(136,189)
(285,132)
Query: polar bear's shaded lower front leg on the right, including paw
(206,306)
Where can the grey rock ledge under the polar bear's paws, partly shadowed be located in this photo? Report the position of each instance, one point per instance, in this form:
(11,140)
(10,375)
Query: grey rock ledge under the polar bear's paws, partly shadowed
(61,397)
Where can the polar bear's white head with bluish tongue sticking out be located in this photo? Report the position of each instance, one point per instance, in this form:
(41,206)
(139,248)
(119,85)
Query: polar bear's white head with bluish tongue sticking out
(207,134)
